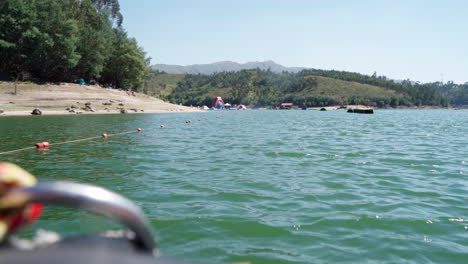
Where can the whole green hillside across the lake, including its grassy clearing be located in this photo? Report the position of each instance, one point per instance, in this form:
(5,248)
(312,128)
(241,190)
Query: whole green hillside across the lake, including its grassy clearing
(306,88)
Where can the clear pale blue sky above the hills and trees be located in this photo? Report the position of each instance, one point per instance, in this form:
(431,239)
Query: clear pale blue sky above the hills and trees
(423,40)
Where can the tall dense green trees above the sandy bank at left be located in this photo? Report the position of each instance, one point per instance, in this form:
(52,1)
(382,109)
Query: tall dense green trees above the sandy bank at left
(64,40)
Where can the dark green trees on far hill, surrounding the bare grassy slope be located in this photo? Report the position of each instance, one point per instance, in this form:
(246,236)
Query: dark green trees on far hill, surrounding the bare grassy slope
(266,88)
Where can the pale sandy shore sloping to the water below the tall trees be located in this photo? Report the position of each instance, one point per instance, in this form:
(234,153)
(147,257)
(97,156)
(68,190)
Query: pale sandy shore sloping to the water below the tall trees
(71,99)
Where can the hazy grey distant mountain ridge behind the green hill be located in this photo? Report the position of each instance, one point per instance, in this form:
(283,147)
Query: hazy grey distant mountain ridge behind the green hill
(225,66)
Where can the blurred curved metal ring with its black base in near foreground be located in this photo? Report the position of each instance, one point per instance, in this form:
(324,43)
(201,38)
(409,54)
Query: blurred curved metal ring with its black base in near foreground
(134,246)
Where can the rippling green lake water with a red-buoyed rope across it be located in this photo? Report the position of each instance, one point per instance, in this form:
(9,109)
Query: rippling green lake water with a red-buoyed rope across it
(269,186)
